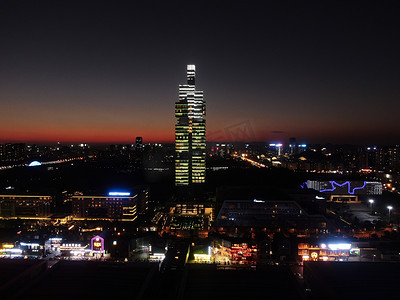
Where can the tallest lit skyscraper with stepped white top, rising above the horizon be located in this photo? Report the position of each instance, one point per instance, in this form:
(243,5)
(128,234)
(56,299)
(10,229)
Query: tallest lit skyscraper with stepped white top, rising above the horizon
(190,133)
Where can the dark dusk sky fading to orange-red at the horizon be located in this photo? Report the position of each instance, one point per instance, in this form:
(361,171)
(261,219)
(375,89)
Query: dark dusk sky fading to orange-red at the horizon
(108,71)
